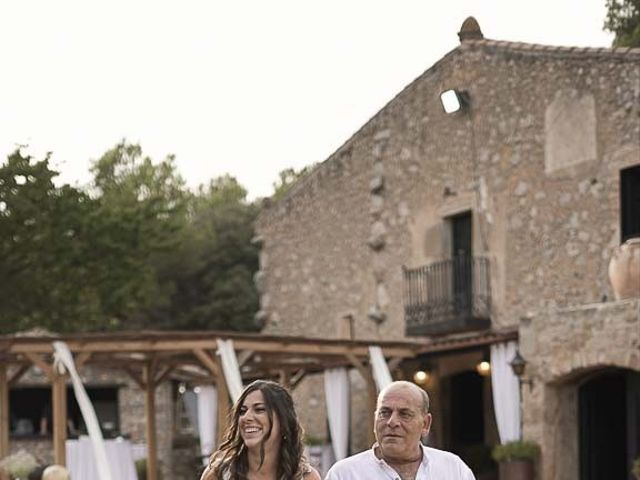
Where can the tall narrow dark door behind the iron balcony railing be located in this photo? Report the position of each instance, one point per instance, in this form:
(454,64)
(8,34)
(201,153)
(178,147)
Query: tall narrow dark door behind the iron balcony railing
(461,254)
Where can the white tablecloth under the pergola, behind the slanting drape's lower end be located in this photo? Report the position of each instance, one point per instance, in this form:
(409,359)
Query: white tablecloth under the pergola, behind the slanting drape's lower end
(81,462)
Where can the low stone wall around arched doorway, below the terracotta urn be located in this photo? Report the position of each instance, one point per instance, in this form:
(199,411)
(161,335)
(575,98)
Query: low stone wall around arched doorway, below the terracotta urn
(561,347)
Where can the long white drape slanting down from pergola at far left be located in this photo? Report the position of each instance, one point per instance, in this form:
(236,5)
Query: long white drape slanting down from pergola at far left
(64,359)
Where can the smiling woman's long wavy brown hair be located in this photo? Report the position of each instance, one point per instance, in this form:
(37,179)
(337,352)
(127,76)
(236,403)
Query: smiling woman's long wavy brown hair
(231,456)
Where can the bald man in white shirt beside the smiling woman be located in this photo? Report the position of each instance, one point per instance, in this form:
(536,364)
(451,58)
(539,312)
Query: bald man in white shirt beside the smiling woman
(402,419)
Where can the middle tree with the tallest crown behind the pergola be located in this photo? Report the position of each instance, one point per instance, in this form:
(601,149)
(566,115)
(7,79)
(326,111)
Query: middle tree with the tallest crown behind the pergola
(138,223)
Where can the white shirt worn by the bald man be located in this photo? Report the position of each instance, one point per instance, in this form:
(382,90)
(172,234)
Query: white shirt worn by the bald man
(436,465)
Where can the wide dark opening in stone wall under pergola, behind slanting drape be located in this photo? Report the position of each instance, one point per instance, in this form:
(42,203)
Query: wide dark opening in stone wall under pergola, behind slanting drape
(30,411)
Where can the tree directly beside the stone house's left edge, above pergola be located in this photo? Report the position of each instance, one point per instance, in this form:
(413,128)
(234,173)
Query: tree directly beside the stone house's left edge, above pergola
(213,271)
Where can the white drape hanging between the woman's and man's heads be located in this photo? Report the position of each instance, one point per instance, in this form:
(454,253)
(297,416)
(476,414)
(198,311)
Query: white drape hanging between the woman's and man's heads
(336,389)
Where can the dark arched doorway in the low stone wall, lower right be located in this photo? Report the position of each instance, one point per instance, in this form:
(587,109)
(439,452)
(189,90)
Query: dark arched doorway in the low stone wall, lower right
(608,424)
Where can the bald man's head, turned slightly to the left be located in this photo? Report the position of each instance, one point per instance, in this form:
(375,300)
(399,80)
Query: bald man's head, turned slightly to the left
(400,423)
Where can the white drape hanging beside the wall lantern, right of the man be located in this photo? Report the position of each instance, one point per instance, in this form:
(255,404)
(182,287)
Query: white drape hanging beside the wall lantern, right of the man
(506,391)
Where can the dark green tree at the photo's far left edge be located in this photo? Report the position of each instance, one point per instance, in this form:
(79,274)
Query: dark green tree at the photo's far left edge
(43,241)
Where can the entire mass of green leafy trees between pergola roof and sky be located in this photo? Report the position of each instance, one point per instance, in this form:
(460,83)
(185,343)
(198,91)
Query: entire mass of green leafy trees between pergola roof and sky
(138,250)
